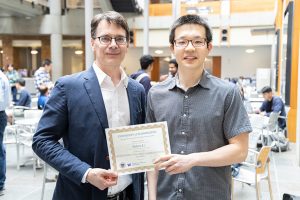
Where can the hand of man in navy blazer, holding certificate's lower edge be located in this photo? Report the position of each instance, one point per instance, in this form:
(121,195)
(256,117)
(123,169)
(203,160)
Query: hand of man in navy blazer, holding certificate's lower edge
(102,178)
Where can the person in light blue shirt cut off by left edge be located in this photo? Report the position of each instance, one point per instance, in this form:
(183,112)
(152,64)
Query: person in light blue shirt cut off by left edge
(4,103)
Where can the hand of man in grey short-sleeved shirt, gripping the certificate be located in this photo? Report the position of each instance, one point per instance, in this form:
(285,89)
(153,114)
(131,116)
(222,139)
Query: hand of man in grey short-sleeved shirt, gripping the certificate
(174,163)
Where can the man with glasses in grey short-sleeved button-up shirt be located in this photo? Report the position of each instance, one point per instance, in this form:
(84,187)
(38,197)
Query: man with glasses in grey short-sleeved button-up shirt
(207,122)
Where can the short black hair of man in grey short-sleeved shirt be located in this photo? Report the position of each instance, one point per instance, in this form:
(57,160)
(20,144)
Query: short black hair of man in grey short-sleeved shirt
(190,19)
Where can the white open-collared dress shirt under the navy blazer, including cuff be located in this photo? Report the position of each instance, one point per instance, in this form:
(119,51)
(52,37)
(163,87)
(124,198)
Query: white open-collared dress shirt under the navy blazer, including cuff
(118,114)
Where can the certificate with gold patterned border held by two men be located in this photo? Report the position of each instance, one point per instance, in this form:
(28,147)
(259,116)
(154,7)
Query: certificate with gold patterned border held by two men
(133,149)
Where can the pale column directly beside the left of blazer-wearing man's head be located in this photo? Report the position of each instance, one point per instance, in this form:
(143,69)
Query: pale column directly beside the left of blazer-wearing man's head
(88,16)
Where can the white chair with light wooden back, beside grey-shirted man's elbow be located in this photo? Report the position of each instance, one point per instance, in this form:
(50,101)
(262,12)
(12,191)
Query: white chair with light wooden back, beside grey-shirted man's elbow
(253,173)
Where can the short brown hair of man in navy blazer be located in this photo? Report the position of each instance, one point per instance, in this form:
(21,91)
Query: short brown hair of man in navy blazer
(110,17)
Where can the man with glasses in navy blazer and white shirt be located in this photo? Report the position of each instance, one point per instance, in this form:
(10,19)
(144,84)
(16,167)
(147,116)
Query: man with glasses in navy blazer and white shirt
(81,107)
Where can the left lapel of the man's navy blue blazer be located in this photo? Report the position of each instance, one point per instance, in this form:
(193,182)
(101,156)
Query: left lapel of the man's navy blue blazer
(91,85)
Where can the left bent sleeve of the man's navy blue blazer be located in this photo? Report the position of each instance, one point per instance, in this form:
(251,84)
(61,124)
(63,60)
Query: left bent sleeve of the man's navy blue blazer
(52,127)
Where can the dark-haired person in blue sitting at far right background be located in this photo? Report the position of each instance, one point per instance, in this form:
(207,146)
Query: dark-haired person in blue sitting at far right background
(272,104)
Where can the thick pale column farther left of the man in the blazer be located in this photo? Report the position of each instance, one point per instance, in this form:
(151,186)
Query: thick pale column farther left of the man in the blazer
(56,39)
